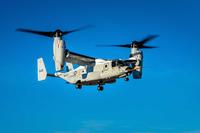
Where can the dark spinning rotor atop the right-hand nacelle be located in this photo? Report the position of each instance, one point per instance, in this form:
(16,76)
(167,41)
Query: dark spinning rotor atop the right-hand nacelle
(136,44)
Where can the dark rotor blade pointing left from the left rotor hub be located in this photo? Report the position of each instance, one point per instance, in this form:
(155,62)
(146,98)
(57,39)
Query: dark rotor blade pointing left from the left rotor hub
(43,33)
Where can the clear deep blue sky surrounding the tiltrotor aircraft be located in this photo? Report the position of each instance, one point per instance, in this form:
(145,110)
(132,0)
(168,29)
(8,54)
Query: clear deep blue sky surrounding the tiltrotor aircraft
(166,100)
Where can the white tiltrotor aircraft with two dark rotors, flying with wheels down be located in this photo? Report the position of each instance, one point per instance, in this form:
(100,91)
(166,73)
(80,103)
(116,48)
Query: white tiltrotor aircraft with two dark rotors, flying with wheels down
(90,71)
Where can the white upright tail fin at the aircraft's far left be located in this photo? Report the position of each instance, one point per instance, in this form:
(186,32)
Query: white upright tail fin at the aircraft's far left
(42,73)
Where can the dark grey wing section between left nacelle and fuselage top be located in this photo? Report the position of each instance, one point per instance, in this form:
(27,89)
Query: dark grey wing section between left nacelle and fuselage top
(79,59)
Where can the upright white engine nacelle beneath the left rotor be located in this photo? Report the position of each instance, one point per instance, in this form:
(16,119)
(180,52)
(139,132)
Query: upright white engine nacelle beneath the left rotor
(59,53)
